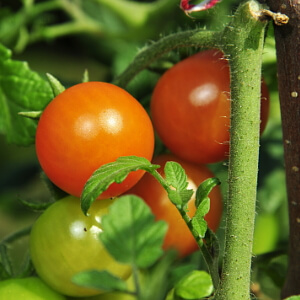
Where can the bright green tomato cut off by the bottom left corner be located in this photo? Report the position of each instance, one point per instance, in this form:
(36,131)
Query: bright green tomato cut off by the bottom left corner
(30,288)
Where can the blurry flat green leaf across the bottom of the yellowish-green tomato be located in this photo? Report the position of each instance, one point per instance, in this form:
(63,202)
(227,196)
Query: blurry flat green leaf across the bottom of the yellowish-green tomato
(100,280)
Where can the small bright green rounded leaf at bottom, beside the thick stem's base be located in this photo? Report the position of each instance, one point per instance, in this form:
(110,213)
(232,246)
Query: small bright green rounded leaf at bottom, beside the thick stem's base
(195,285)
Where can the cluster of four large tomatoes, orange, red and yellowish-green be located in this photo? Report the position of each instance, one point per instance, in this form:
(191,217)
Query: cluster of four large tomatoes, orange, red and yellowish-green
(94,123)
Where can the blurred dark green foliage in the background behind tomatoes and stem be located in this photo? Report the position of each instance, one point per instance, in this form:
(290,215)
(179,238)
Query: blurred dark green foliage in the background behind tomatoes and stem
(65,37)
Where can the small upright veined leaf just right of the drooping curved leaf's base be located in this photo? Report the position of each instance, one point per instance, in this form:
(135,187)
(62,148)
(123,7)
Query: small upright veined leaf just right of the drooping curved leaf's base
(175,175)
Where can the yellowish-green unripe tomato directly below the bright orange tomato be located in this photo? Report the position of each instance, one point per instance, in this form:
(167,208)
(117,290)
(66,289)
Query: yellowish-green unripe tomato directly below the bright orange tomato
(64,242)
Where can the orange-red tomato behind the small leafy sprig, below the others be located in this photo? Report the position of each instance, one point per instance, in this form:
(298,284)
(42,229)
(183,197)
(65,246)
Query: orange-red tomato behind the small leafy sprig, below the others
(178,235)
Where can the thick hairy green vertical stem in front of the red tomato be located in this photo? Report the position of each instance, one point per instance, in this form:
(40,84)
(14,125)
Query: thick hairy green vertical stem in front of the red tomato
(243,41)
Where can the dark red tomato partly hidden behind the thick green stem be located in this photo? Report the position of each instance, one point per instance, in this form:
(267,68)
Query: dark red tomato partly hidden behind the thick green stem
(190,107)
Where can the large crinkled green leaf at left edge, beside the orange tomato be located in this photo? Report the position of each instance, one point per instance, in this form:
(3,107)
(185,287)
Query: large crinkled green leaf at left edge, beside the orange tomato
(21,90)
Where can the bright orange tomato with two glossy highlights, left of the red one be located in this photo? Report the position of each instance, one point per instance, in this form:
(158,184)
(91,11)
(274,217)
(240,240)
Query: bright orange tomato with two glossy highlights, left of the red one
(86,126)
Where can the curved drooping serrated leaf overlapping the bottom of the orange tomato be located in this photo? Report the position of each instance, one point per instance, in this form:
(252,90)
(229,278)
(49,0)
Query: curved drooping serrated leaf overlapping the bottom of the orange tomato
(116,171)
